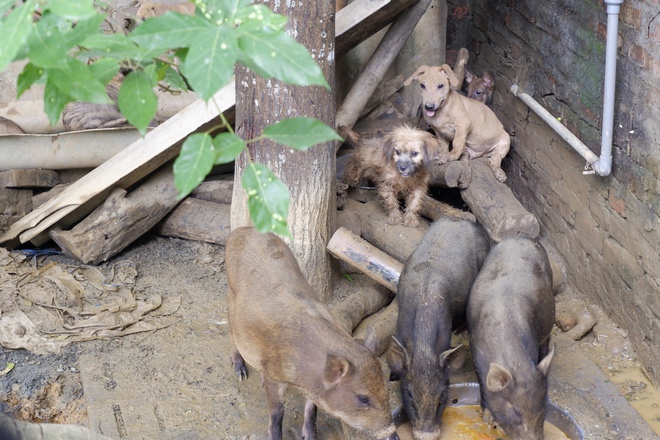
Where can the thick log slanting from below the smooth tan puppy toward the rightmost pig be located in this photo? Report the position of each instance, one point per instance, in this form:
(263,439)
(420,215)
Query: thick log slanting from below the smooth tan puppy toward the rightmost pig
(495,205)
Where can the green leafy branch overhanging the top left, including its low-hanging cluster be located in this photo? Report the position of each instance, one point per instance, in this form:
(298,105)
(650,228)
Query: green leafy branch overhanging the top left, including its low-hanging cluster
(68,52)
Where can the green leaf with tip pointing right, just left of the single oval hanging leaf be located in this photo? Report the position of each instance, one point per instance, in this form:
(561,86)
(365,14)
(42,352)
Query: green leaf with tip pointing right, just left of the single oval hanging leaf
(77,80)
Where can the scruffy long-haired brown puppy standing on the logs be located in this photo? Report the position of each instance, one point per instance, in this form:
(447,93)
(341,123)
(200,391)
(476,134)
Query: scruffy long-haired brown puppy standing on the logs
(396,164)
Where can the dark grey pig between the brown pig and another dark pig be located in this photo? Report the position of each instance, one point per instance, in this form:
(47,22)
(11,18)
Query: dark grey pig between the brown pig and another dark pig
(432,294)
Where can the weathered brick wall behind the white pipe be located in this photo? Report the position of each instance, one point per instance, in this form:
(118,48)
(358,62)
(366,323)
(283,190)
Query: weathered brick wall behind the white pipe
(606,228)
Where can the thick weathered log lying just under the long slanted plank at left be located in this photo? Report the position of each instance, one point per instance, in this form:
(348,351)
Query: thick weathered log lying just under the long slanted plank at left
(120,220)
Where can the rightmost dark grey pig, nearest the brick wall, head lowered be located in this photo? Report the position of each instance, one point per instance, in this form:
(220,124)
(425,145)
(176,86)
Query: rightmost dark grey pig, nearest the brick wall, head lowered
(510,315)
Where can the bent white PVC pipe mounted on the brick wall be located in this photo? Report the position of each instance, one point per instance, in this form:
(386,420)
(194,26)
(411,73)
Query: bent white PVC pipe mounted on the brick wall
(603,164)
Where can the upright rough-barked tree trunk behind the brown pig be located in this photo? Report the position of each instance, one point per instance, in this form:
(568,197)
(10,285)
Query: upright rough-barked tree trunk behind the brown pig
(310,175)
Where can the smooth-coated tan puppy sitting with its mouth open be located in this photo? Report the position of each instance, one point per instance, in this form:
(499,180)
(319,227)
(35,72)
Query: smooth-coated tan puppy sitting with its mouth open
(472,127)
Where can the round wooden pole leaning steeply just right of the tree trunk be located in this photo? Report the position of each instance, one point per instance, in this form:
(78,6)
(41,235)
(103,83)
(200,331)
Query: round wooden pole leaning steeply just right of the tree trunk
(375,69)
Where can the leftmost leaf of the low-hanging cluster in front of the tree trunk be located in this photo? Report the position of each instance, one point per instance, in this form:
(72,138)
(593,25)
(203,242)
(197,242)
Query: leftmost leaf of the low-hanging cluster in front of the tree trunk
(194,163)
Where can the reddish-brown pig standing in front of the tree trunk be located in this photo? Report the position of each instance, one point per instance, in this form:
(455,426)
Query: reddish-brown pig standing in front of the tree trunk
(278,326)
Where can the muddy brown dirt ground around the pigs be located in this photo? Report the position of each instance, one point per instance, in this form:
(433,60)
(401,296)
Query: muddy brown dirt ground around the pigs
(177,382)
